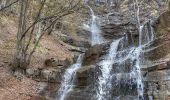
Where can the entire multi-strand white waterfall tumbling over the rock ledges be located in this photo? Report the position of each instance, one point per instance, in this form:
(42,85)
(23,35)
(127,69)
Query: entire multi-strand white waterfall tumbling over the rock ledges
(114,76)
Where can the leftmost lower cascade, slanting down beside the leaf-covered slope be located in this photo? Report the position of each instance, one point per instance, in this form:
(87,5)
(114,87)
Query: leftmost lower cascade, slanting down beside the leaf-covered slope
(68,79)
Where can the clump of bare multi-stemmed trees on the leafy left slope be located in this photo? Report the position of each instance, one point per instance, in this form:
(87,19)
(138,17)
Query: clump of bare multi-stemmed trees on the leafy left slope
(25,35)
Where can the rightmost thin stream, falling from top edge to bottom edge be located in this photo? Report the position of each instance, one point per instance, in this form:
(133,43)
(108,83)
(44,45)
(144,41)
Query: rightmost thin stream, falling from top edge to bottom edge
(146,35)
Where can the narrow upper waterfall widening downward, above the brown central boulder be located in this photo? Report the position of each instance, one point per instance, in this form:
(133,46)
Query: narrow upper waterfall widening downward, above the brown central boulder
(96,37)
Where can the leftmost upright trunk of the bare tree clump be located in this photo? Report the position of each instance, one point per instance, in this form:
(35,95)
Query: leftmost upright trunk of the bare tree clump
(20,57)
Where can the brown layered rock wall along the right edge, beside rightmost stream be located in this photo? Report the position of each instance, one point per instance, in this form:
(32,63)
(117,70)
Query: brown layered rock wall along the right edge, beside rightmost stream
(157,76)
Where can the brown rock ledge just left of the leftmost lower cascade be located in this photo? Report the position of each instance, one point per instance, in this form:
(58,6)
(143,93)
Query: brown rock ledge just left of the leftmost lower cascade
(51,72)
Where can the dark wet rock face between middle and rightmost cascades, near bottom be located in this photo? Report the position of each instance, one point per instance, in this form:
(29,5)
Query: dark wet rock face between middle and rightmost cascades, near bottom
(124,84)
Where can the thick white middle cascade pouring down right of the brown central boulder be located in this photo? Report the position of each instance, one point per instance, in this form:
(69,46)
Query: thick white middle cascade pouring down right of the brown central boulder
(104,82)
